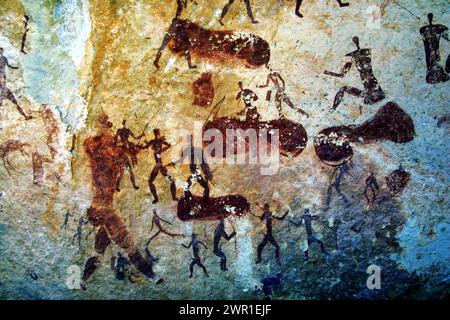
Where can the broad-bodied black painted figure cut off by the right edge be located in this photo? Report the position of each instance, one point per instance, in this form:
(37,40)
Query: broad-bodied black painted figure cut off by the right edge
(431,35)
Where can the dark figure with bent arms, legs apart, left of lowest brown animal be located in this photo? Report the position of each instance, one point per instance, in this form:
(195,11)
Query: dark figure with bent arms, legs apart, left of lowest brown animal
(159,145)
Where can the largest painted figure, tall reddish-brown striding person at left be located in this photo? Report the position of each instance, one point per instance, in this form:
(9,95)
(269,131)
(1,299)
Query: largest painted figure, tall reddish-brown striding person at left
(107,162)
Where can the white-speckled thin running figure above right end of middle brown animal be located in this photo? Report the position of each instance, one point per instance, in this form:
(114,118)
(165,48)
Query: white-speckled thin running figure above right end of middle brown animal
(280,95)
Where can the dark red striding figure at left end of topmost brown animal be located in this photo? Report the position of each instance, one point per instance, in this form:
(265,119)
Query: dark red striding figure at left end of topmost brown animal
(176,29)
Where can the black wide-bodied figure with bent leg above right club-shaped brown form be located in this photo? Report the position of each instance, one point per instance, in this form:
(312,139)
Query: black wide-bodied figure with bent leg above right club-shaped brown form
(372,92)
